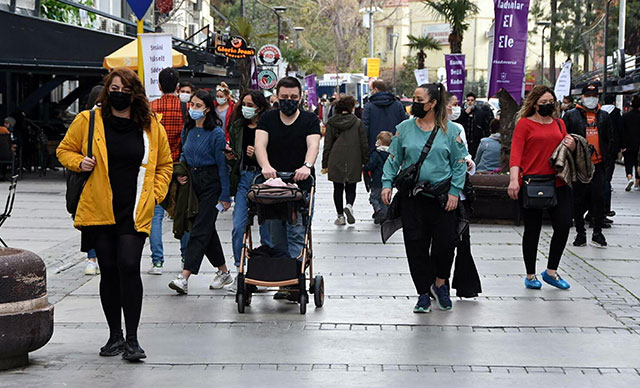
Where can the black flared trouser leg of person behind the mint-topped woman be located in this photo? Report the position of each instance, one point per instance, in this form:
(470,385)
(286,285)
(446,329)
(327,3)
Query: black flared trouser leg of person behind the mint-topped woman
(466,280)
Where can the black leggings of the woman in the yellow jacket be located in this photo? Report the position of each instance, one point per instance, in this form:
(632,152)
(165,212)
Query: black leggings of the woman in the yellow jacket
(120,284)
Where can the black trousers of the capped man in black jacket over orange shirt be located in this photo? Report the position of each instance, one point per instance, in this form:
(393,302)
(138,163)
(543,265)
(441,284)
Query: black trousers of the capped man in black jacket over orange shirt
(590,197)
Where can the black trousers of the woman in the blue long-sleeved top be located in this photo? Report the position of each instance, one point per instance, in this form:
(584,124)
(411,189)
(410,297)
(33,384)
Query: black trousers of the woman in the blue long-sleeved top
(204,239)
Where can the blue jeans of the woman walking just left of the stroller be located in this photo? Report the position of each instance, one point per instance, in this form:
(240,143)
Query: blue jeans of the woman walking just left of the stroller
(240,211)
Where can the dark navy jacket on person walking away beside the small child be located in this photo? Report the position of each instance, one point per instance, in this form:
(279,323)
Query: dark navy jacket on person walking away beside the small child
(382,113)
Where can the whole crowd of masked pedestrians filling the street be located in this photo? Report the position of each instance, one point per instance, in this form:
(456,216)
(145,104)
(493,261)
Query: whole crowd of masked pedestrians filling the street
(195,154)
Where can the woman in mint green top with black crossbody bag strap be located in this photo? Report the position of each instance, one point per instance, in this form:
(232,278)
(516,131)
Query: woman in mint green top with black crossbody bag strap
(428,218)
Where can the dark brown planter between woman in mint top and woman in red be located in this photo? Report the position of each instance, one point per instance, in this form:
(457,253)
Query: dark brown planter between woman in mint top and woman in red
(492,201)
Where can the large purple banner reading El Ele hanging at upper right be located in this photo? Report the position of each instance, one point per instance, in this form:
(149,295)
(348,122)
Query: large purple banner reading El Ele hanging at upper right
(509,47)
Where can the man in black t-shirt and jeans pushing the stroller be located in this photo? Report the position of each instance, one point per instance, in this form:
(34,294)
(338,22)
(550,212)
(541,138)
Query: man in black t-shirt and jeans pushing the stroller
(287,140)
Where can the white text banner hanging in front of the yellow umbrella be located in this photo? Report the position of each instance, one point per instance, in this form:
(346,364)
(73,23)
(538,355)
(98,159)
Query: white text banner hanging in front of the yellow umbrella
(156,55)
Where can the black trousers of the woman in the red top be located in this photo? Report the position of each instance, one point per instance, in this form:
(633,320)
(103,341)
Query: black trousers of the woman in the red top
(561,223)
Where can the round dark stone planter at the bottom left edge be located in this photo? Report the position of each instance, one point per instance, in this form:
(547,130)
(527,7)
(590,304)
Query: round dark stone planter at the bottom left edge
(26,316)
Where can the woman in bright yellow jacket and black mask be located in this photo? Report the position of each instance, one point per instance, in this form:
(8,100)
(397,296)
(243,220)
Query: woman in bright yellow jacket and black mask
(131,169)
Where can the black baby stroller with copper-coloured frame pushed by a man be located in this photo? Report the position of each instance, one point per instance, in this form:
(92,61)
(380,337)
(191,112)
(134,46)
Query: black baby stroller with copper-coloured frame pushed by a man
(267,267)
